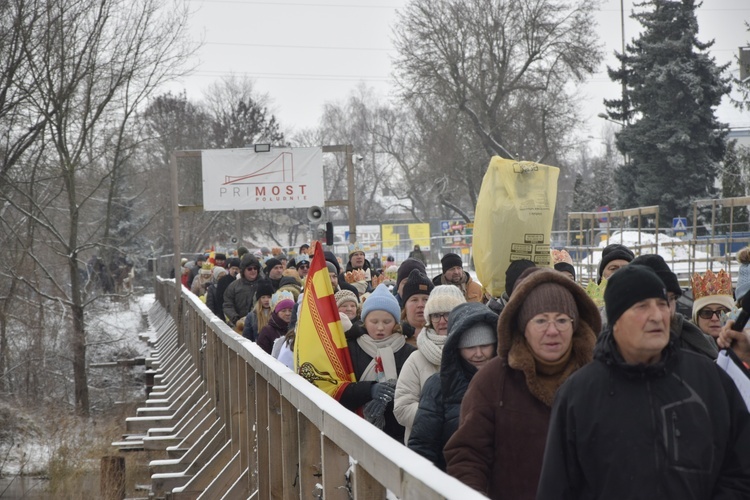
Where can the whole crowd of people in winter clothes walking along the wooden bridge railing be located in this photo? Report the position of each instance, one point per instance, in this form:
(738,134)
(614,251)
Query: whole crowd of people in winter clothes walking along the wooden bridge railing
(549,391)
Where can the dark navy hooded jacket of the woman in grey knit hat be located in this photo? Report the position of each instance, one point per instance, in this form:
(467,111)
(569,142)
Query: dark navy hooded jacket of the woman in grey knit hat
(440,404)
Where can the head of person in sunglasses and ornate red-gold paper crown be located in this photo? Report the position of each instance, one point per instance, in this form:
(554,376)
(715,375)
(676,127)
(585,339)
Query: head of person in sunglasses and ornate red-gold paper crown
(713,300)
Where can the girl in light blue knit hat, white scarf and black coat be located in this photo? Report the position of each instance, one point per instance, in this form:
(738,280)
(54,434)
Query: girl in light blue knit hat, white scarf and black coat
(378,351)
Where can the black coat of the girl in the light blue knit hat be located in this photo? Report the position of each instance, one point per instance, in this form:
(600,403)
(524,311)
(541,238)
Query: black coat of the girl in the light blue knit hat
(357,394)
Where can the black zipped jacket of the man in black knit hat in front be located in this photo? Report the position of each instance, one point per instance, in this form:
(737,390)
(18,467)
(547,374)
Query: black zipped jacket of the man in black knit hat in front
(674,429)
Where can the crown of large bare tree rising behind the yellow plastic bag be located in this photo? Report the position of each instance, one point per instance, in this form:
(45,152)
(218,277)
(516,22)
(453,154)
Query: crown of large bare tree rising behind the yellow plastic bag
(500,63)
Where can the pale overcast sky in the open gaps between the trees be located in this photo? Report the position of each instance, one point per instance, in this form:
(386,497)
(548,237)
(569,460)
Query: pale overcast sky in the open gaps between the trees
(304,53)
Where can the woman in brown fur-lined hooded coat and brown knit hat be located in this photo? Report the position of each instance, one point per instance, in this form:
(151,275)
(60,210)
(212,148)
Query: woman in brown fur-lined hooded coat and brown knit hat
(546,332)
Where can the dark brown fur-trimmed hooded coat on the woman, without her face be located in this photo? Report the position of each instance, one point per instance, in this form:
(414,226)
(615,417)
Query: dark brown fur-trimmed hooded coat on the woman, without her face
(506,410)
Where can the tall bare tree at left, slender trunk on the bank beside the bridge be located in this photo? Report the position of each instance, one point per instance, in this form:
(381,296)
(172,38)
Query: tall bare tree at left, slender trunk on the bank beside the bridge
(93,69)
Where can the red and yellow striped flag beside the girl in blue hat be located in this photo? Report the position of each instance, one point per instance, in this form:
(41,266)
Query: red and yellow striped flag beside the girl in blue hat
(321,354)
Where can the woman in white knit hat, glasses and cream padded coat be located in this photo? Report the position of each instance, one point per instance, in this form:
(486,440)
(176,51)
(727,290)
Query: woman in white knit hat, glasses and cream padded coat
(426,360)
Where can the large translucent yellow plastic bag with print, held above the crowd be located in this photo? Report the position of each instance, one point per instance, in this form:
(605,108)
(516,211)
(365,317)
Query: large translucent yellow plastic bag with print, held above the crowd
(514,215)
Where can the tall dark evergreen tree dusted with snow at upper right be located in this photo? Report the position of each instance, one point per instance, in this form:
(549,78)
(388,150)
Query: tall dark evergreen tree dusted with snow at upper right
(671,136)
